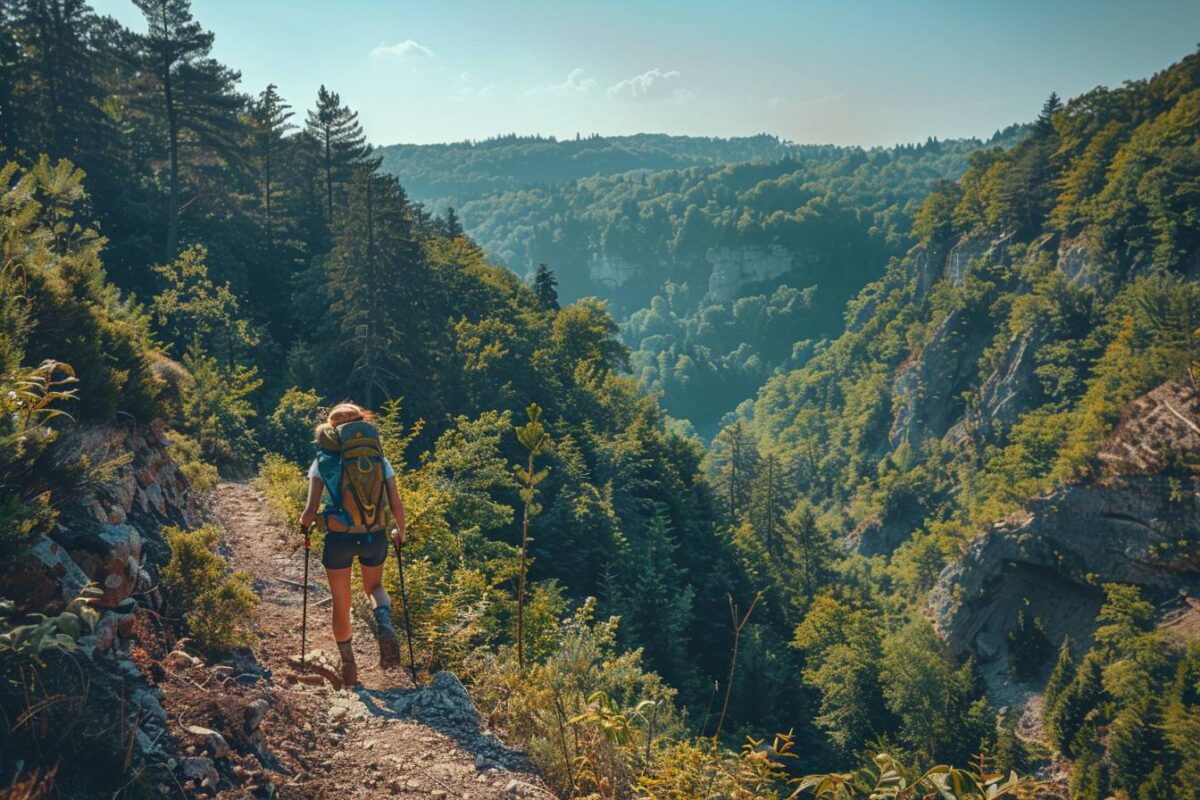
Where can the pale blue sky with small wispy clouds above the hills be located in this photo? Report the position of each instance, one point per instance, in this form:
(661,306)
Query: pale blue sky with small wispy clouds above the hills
(866,73)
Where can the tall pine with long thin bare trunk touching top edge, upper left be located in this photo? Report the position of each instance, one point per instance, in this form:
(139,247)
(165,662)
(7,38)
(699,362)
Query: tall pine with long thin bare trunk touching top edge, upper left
(194,93)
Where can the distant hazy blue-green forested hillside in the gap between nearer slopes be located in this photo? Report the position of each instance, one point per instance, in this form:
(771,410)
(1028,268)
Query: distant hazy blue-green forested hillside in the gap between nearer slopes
(692,257)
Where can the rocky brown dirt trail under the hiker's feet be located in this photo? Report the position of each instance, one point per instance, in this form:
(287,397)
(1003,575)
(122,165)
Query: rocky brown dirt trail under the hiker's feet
(254,730)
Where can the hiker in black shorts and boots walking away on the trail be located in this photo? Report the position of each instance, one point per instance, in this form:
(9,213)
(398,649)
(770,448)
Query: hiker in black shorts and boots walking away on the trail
(359,485)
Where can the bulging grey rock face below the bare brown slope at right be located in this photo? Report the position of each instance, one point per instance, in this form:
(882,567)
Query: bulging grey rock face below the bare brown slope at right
(1049,556)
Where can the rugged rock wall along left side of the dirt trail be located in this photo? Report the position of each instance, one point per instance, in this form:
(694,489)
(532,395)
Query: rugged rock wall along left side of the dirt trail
(109,534)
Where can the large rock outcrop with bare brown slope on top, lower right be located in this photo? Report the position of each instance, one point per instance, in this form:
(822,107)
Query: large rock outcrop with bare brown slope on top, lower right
(1138,522)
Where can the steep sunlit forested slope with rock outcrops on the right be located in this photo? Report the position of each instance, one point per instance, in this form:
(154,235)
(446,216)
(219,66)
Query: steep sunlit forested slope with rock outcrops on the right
(1053,288)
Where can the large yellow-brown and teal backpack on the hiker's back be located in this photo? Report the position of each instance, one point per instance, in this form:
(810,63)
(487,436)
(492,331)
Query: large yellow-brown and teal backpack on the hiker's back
(353,474)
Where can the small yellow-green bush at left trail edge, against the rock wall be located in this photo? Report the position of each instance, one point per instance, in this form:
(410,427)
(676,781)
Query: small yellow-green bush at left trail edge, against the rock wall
(213,604)
